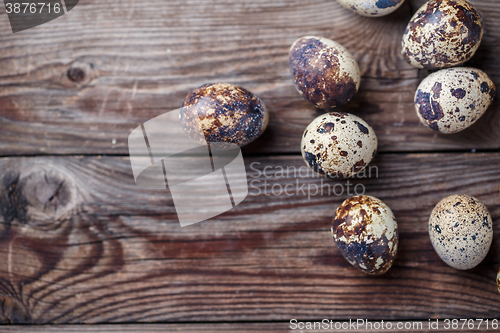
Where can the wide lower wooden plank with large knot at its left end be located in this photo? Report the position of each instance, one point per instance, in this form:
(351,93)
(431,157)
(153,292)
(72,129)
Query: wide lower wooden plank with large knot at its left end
(80,243)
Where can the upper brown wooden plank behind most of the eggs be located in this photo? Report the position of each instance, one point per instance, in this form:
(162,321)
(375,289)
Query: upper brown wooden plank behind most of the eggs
(80,84)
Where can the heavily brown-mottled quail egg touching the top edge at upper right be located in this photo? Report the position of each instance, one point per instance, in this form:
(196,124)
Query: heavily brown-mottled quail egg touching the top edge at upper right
(442,33)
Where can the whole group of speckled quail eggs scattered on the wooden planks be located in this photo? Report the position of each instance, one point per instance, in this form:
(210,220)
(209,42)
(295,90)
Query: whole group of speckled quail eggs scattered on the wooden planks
(440,35)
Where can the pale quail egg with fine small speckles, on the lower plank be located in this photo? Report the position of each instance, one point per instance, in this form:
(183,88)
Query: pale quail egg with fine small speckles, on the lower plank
(461,231)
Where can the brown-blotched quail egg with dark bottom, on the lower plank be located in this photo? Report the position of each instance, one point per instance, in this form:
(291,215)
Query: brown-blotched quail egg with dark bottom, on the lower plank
(366,233)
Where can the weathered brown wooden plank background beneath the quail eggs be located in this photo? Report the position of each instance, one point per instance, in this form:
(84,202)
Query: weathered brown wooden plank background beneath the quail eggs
(81,244)
